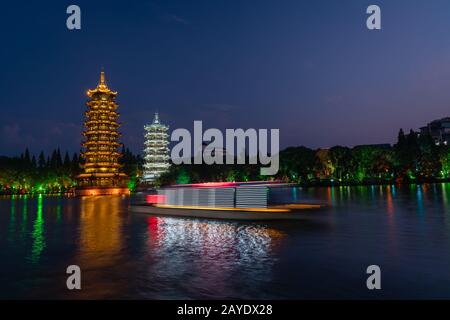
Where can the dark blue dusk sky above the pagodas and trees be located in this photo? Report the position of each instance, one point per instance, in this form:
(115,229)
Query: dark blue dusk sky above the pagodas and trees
(310,68)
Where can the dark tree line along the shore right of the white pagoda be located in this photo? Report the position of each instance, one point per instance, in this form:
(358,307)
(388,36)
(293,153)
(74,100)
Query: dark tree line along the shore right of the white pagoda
(414,158)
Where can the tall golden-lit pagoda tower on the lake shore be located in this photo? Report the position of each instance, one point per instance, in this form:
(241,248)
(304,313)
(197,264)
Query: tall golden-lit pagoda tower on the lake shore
(101,169)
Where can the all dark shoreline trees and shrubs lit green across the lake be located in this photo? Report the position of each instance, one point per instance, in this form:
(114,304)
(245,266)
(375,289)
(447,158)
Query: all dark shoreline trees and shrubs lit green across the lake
(413,159)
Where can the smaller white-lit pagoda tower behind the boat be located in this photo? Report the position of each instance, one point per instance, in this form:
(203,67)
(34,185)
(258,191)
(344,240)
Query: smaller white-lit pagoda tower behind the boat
(156,152)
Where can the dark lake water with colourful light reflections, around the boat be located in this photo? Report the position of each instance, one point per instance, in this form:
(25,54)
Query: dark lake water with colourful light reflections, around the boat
(405,230)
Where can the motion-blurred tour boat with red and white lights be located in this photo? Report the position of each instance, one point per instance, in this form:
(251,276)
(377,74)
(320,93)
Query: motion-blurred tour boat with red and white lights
(222,200)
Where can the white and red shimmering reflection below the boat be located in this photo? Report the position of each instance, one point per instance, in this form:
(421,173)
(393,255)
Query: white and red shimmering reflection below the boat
(209,254)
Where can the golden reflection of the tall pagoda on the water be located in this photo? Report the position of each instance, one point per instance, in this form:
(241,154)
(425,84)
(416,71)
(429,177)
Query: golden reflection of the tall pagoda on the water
(100,246)
